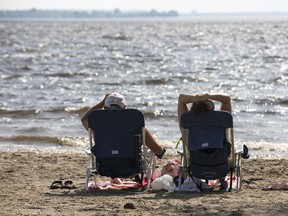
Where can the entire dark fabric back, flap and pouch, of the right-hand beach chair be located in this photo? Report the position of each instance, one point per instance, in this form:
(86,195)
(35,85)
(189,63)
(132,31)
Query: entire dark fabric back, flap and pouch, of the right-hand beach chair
(207,144)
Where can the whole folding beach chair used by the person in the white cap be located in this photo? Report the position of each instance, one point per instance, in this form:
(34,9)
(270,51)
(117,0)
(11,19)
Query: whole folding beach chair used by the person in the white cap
(117,146)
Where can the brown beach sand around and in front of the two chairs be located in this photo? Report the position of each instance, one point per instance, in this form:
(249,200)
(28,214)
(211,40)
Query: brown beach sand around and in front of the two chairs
(26,177)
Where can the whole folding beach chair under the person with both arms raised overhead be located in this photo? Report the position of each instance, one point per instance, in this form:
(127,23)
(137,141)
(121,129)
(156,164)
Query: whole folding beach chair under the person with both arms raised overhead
(208,151)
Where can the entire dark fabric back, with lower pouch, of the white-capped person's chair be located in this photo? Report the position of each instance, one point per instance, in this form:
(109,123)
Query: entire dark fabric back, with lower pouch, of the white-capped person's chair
(117,137)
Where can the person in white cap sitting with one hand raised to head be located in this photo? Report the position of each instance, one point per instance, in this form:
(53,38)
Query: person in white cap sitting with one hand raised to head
(117,101)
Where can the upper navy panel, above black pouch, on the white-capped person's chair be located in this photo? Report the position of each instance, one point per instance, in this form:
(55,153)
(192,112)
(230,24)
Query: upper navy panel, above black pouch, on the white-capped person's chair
(116,132)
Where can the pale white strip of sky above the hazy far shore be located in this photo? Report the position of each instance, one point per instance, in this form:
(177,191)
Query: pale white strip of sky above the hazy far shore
(182,6)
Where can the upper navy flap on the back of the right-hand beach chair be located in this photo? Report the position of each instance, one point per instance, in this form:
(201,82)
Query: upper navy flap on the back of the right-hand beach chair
(206,130)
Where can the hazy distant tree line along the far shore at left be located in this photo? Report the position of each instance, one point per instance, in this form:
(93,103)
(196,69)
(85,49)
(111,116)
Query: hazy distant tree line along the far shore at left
(34,13)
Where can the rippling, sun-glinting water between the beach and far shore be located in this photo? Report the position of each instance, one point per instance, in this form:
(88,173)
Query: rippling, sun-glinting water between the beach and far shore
(53,70)
